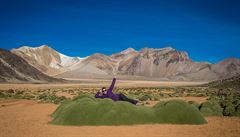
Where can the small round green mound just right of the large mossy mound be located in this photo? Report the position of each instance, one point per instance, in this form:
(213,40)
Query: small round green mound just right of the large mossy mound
(211,108)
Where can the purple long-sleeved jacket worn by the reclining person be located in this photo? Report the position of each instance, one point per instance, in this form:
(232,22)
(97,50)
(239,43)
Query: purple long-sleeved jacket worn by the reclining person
(110,94)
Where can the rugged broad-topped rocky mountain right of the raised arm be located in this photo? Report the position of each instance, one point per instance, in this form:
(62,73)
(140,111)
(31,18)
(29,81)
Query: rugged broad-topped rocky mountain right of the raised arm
(158,62)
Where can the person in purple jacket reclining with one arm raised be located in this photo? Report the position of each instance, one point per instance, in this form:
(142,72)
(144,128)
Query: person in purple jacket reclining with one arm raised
(108,93)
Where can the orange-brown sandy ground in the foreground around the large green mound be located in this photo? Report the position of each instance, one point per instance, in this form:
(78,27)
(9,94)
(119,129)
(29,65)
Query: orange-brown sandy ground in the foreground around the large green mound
(23,118)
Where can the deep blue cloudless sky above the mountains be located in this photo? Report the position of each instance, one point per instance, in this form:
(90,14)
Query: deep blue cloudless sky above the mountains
(209,30)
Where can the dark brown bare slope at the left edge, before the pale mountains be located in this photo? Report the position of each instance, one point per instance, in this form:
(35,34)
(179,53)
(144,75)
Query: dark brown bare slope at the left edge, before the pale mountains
(15,69)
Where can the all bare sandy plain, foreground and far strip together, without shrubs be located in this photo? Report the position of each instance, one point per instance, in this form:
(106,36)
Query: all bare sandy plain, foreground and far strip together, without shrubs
(30,118)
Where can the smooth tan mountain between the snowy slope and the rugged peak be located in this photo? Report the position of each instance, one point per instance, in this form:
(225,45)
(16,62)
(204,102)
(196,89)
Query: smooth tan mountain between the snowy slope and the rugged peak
(101,65)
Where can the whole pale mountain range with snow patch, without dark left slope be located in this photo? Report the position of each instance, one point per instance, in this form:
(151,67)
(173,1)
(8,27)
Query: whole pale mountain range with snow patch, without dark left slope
(159,64)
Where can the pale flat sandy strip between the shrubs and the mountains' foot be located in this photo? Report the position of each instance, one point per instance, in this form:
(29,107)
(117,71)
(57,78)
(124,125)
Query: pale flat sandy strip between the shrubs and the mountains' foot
(99,83)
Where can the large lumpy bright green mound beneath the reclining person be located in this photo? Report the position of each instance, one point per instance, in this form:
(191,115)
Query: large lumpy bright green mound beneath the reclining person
(86,110)
